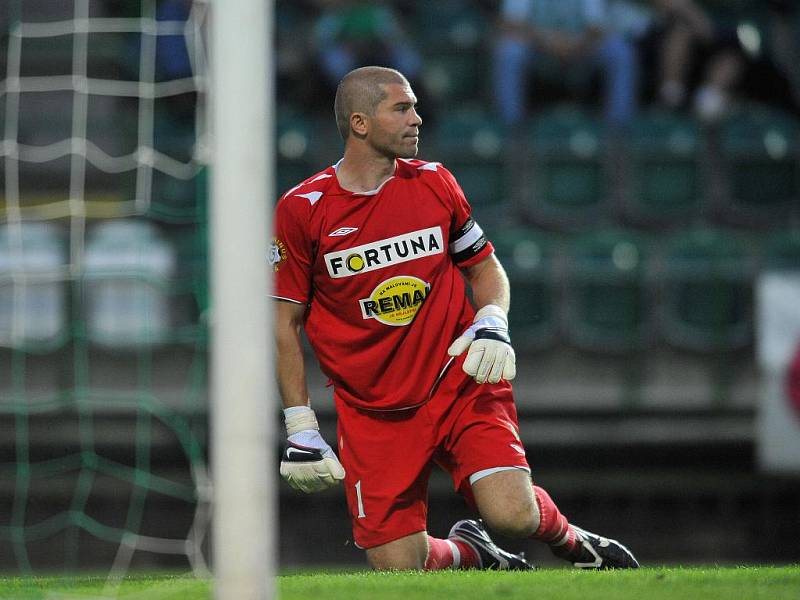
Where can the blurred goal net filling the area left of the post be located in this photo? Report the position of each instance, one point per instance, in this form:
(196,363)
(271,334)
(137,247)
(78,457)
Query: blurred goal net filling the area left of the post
(103,286)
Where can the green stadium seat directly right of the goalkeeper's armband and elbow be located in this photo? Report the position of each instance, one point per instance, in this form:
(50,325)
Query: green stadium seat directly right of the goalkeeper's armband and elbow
(529,257)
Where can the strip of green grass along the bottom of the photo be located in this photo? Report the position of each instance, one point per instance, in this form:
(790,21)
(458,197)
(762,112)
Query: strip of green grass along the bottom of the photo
(708,583)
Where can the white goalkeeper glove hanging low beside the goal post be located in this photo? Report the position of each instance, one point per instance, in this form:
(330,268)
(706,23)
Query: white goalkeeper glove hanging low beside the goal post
(308,462)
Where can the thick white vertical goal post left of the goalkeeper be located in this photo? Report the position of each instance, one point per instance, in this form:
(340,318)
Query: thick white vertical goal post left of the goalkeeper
(243,396)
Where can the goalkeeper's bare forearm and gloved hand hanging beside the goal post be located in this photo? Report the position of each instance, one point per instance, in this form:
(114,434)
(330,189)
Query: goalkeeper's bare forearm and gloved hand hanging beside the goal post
(308,463)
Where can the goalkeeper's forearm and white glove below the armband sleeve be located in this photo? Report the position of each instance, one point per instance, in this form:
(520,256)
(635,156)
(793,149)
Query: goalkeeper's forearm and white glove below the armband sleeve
(490,357)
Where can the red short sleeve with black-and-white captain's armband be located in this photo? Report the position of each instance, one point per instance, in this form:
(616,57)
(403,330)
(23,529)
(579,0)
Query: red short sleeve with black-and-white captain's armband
(468,244)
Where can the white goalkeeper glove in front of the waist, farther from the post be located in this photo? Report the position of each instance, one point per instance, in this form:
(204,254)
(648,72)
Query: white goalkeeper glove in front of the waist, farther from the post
(490,357)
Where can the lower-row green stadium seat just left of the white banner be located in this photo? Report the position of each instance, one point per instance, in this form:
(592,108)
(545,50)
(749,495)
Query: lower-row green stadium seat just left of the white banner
(707,300)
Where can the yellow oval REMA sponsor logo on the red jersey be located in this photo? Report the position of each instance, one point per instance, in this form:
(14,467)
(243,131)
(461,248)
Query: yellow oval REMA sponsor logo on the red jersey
(396,300)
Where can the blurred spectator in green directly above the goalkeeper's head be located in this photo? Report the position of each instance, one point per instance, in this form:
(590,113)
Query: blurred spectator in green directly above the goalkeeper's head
(355,33)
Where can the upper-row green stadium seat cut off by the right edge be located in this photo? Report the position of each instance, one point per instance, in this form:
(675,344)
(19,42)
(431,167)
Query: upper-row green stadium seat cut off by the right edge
(760,150)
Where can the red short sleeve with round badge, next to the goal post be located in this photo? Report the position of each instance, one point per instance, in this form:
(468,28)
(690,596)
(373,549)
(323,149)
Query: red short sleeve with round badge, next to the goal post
(291,251)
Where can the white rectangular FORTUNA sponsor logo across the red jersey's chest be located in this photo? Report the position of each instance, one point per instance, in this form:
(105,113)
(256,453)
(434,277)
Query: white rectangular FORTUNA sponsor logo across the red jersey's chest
(383,253)
